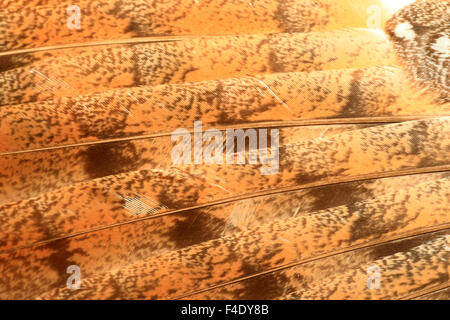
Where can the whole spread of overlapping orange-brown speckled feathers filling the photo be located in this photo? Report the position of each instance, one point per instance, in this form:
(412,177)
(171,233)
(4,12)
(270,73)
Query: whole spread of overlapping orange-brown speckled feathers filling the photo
(87,177)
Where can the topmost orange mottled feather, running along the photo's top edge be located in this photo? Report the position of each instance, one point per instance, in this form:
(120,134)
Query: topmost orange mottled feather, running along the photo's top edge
(37,26)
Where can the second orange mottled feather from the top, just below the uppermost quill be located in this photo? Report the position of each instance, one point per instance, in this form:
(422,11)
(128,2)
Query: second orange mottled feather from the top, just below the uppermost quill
(106,67)
